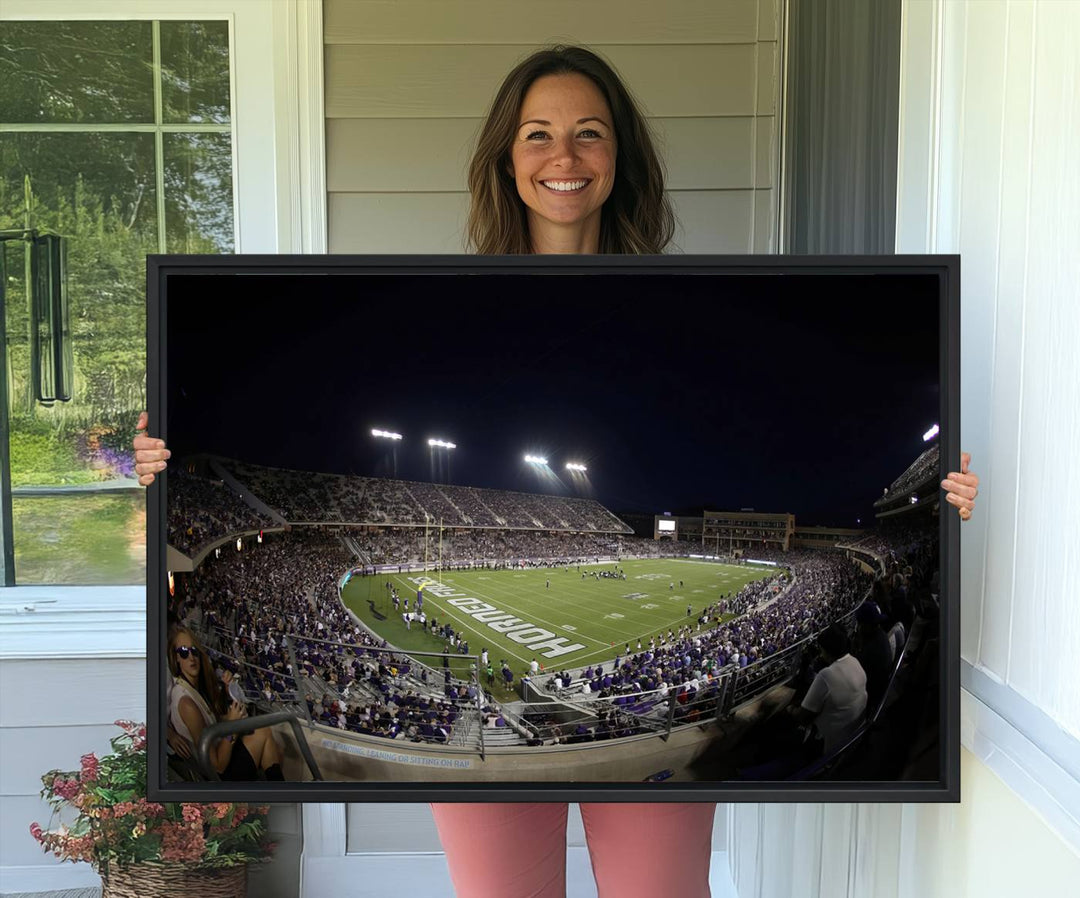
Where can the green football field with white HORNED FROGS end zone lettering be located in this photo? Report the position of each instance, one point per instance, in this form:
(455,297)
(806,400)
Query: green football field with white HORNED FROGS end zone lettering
(560,618)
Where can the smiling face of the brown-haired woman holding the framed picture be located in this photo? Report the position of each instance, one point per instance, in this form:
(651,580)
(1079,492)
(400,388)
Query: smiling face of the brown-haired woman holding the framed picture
(563,156)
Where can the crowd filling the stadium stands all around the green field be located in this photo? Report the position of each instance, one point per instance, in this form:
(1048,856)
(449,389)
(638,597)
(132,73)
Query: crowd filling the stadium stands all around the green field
(246,601)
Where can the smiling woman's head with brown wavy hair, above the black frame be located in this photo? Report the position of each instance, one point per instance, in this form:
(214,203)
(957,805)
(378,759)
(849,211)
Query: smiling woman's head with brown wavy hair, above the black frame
(565,164)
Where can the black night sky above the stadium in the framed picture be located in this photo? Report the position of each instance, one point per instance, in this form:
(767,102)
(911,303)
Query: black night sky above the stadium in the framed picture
(802,394)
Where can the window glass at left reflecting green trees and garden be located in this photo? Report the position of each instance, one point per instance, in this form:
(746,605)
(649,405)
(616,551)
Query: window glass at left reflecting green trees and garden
(121,175)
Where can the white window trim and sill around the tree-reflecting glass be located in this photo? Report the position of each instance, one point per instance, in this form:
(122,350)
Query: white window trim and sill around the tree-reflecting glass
(278,140)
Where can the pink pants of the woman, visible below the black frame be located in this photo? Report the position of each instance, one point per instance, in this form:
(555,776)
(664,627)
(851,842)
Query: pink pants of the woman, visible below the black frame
(519,851)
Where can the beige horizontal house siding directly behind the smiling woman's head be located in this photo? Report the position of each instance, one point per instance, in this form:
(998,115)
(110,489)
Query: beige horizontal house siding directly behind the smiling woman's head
(409,83)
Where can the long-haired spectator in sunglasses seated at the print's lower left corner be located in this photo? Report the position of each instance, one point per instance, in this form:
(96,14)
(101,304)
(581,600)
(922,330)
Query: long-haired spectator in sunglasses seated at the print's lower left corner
(199,700)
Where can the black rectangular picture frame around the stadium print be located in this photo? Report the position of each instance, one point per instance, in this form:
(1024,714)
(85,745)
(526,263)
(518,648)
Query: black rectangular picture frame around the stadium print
(946,269)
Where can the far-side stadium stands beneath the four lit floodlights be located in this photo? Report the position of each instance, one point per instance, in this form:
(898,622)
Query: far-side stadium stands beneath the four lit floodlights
(417,522)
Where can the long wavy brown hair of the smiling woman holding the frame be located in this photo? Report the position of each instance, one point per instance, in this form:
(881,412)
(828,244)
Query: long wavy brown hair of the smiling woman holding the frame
(637,218)
